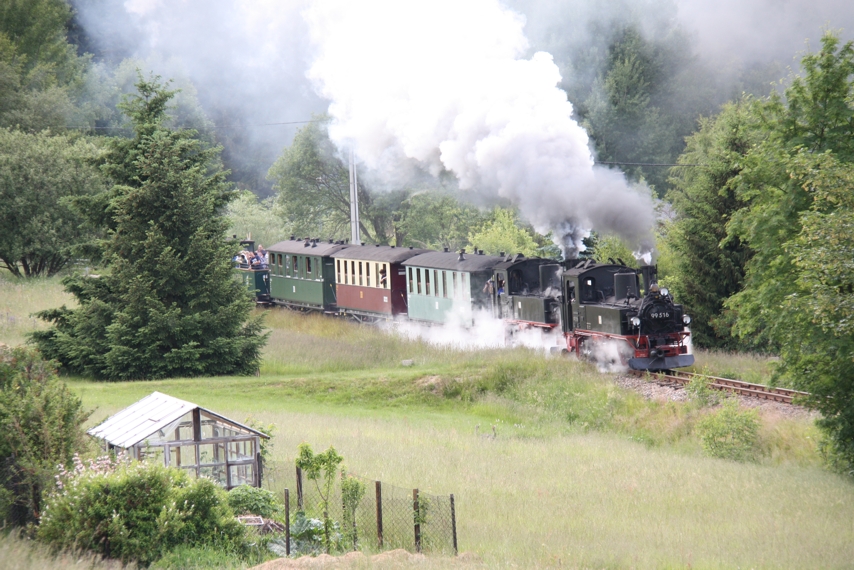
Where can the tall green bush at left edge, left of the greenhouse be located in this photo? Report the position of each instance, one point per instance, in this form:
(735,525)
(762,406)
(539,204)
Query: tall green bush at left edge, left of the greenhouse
(40,427)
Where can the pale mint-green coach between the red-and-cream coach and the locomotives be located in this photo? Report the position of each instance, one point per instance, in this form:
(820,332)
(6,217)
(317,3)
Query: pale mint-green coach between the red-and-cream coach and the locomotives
(447,286)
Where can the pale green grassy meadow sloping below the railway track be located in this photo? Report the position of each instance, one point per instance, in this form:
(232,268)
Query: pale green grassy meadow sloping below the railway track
(582,473)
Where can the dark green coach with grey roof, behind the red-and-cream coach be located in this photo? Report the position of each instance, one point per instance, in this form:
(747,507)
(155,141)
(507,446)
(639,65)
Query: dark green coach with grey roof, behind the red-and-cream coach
(302,274)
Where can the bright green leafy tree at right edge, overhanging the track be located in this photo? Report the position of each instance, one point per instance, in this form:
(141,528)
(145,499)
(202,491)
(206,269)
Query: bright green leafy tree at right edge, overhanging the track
(796,186)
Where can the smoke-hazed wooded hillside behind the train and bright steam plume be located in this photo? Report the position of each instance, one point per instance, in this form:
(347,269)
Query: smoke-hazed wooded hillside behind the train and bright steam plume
(751,158)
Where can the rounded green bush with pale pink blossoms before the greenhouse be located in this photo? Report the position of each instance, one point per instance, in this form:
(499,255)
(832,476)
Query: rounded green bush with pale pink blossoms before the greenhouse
(137,512)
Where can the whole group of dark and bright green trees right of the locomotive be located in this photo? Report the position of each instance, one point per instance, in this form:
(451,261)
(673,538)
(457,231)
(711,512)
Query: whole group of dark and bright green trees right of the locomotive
(763,236)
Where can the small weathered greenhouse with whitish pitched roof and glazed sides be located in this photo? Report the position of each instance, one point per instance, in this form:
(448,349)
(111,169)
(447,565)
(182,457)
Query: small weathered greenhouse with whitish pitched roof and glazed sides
(184,435)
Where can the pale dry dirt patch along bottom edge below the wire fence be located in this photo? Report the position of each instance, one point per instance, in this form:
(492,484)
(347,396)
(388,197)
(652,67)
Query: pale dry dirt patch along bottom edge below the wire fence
(386,560)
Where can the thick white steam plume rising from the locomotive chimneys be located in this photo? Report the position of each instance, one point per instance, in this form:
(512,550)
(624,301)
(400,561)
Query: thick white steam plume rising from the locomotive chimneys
(443,84)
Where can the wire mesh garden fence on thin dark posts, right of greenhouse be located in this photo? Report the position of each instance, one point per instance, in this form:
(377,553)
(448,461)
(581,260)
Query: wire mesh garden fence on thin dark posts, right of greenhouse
(384,517)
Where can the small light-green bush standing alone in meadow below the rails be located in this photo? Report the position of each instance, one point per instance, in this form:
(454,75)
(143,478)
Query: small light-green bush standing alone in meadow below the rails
(730,433)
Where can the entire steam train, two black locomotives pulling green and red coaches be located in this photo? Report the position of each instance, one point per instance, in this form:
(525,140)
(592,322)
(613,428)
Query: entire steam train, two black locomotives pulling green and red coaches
(591,305)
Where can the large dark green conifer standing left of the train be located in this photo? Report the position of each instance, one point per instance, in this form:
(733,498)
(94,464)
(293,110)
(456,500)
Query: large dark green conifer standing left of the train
(167,305)
